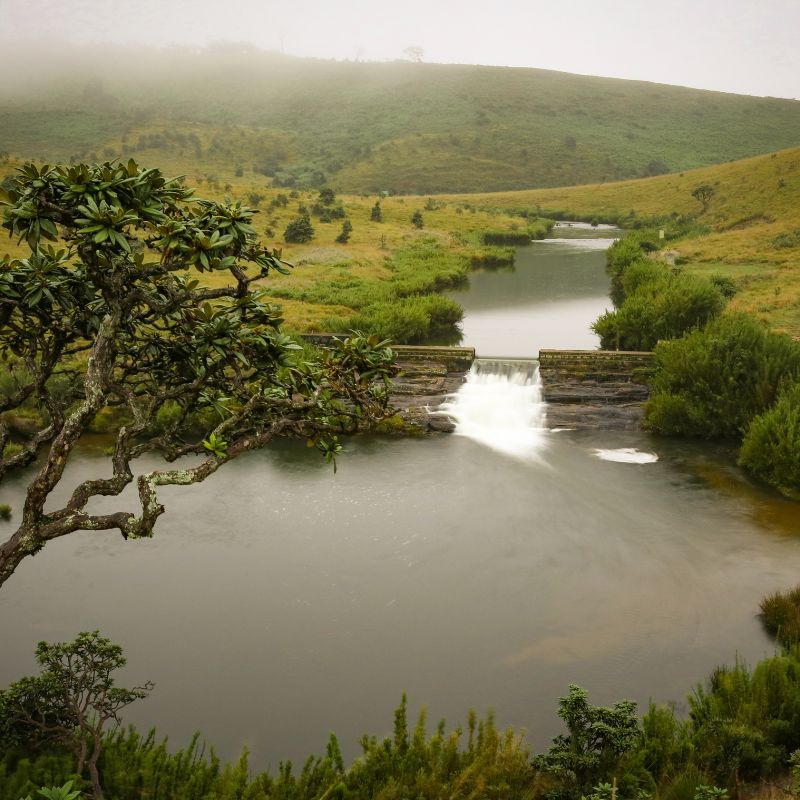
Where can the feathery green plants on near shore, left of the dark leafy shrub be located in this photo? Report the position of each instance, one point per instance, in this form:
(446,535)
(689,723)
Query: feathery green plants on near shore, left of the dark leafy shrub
(410,764)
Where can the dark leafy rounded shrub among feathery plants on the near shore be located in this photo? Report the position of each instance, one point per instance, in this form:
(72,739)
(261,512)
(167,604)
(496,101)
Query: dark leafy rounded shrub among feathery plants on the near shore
(599,737)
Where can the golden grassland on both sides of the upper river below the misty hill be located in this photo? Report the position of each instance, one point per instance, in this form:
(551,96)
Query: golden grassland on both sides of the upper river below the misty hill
(751,231)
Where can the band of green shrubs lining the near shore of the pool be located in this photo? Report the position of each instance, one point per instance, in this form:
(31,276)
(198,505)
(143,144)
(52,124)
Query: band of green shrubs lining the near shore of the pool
(743,727)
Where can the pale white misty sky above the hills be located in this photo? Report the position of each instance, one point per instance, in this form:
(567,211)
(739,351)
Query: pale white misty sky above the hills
(742,46)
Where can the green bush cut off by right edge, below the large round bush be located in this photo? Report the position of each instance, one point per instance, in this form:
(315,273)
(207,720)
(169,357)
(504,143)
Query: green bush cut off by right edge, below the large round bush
(771,444)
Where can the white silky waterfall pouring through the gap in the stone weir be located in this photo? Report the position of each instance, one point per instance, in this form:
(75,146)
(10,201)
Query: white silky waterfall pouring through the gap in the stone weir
(500,405)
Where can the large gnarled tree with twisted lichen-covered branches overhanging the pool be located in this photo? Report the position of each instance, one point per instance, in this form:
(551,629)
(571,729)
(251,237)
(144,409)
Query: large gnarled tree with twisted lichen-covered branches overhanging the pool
(117,322)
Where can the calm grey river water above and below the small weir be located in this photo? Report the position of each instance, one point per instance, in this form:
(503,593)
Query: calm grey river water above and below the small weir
(278,601)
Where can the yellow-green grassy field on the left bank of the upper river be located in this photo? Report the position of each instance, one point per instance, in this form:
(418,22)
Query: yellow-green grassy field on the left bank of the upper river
(382,261)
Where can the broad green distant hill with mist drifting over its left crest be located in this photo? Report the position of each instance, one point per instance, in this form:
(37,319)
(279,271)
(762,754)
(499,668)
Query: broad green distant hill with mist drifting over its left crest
(368,127)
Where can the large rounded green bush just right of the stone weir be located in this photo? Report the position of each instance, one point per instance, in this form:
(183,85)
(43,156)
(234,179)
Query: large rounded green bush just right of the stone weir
(712,383)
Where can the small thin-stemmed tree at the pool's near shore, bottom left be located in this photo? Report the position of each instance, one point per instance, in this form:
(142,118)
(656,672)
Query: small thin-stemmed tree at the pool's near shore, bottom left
(70,702)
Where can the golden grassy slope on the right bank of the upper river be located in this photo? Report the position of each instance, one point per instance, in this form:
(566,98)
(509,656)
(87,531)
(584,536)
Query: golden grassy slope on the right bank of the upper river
(752,224)
